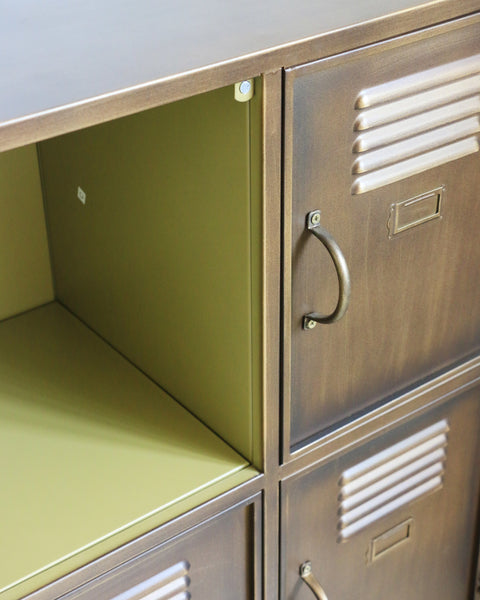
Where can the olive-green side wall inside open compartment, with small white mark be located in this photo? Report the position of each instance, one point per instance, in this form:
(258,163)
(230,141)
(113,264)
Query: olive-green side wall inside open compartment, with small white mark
(156,256)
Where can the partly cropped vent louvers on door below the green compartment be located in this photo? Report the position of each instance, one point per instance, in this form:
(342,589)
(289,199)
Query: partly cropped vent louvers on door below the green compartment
(170,584)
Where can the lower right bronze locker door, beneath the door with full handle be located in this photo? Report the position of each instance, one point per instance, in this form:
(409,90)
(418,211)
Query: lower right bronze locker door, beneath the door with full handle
(393,519)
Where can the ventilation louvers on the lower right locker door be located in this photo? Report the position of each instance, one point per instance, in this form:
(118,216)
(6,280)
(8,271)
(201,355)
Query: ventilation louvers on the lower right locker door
(392,478)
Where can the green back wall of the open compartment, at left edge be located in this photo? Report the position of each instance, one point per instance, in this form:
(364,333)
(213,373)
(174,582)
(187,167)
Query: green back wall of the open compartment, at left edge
(25,276)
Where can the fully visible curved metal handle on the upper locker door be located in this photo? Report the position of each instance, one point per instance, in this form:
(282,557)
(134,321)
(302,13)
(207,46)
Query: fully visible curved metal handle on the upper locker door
(344,284)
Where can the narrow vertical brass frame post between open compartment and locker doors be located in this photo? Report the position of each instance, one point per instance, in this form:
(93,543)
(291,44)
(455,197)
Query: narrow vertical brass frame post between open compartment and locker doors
(272,90)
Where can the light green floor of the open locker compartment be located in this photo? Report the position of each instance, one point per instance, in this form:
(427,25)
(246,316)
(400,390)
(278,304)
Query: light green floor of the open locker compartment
(93,453)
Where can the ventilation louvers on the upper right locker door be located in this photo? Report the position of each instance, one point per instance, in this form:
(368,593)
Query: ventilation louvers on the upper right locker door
(415,123)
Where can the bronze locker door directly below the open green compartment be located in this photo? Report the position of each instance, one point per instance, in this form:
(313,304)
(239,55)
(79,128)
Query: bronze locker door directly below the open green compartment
(214,561)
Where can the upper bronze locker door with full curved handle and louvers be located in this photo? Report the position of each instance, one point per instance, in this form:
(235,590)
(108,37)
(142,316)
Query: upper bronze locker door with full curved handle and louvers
(384,142)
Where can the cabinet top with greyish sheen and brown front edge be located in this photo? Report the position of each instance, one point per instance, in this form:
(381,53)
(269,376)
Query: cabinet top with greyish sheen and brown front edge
(123,56)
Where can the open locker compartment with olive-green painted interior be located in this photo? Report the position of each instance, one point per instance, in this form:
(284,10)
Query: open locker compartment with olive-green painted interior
(120,294)
